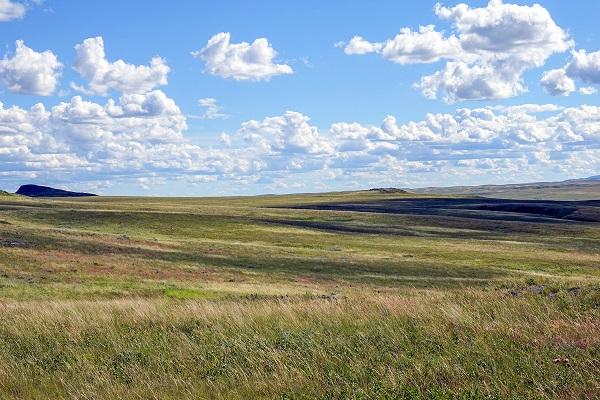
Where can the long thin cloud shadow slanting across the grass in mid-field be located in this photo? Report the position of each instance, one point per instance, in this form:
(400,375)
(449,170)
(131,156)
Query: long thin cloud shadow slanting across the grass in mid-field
(377,271)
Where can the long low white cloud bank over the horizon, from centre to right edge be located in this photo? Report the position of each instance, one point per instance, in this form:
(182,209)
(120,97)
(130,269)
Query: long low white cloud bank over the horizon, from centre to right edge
(505,142)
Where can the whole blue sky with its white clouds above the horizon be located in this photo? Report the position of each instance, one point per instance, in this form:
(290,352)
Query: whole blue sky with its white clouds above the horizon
(195,98)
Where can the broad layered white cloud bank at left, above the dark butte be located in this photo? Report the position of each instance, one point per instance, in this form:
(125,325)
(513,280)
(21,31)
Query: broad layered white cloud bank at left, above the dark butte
(138,134)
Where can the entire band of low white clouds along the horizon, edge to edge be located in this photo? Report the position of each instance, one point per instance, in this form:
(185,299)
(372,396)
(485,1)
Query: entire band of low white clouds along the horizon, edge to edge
(143,136)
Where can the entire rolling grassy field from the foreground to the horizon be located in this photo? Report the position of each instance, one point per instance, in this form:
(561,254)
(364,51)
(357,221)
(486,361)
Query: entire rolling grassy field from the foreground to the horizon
(360,295)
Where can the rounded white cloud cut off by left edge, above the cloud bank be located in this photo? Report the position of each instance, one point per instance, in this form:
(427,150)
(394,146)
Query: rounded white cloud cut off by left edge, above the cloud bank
(30,72)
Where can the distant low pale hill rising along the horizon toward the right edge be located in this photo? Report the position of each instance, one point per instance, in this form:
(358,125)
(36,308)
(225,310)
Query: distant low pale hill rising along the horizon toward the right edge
(572,189)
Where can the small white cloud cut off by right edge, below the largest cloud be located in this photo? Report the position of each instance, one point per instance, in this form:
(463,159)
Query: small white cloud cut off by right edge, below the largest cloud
(583,66)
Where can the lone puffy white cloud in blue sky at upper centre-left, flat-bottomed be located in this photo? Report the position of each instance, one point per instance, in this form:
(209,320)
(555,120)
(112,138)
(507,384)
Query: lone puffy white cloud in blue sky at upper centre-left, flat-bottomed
(240,61)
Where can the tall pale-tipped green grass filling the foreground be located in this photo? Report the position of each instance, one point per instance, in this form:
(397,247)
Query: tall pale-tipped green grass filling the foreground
(418,344)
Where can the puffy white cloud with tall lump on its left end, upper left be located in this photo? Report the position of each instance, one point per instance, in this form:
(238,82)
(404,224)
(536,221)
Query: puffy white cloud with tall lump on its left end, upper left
(91,63)
